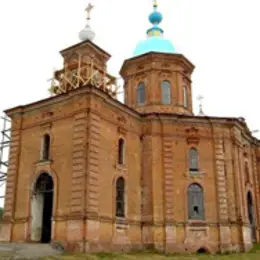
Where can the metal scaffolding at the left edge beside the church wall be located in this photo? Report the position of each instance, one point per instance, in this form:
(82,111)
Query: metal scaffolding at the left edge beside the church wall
(5,140)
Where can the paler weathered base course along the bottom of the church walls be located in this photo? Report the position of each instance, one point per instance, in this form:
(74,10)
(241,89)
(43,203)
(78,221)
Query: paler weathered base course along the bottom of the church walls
(111,237)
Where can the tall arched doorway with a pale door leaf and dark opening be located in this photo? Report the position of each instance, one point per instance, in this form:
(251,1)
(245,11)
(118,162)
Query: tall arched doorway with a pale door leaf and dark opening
(41,210)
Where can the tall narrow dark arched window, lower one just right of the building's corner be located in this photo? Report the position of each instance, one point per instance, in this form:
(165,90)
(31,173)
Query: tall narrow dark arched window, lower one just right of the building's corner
(120,197)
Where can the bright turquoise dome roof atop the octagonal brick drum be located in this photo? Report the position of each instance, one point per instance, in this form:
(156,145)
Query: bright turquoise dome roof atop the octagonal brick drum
(154,44)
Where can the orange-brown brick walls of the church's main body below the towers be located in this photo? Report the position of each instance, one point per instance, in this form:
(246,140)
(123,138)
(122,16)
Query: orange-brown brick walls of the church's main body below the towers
(85,128)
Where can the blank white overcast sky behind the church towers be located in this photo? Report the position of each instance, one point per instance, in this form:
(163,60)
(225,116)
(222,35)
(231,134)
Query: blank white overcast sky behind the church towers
(220,37)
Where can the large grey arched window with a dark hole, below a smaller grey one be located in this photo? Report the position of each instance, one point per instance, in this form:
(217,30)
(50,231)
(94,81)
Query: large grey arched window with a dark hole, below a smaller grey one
(196,202)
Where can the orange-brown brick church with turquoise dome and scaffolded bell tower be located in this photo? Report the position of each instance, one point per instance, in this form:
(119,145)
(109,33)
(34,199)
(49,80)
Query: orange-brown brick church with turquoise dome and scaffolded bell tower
(97,174)
